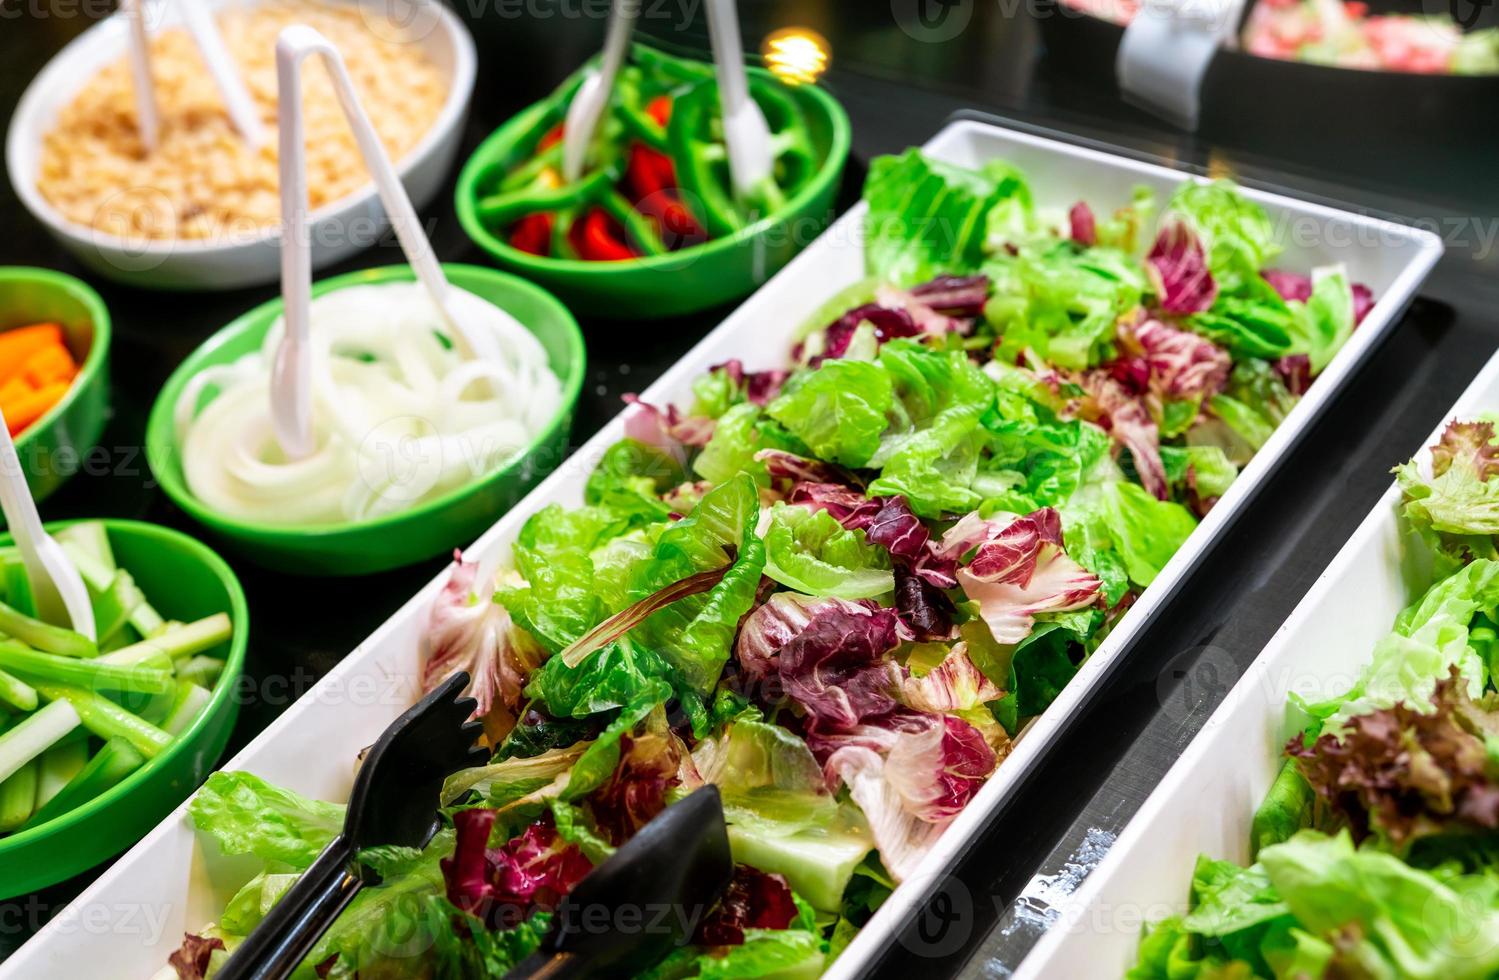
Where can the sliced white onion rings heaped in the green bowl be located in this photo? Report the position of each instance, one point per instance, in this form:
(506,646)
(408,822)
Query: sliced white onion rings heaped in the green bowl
(399,416)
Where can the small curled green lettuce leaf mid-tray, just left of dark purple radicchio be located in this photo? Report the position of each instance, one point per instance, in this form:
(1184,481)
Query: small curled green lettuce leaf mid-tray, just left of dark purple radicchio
(813,554)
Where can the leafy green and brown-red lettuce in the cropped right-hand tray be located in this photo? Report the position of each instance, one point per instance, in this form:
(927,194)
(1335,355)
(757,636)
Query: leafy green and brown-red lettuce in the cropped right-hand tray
(1377,852)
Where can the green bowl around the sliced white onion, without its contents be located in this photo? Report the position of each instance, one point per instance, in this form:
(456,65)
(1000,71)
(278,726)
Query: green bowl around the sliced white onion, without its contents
(416,534)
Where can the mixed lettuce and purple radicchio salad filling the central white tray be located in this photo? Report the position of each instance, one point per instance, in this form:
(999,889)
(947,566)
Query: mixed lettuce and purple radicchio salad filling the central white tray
(839,588)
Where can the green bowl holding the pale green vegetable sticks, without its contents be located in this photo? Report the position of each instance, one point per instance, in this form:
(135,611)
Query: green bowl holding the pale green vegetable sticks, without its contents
(185,581)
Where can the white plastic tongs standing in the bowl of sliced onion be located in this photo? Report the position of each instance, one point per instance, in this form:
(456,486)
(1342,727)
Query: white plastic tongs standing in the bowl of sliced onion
(292,374)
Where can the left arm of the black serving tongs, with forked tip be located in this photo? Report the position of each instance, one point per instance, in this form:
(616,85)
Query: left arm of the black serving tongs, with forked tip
(395,802)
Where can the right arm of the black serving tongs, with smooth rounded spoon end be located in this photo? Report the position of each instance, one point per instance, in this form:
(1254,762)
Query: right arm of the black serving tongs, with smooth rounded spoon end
(633,909)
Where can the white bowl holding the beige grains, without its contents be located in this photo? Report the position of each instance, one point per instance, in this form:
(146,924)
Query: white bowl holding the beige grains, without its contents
(340,229)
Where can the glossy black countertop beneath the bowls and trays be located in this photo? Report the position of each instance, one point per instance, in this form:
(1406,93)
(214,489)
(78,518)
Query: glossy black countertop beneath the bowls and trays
(902,70)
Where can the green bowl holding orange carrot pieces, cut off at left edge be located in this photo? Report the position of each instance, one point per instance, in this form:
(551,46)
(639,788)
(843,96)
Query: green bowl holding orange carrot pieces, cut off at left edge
(56,446)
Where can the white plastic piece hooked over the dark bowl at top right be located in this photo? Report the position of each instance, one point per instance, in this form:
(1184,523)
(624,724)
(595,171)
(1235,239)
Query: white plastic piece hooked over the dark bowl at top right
(1167,52)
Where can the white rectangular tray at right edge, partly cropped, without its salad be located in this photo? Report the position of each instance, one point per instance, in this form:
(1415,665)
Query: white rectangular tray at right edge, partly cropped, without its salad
(1207,801)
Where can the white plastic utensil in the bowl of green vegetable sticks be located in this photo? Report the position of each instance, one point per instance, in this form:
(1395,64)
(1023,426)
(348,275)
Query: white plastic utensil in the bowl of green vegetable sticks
(56,585)
